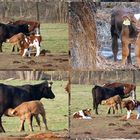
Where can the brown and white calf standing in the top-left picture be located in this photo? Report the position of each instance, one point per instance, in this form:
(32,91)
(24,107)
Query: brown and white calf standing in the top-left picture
(30,42)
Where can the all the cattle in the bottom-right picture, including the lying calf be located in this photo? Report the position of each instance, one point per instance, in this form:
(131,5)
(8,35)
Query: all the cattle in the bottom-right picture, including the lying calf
(112,94)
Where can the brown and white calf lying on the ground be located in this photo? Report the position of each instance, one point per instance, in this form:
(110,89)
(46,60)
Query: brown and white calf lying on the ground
(83,114)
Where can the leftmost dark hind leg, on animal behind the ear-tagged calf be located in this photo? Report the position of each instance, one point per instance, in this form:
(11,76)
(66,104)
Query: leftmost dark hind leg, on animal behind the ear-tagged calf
(115,46)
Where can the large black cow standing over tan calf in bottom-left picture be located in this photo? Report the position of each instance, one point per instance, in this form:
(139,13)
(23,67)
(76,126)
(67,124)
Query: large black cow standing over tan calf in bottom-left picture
(12,96)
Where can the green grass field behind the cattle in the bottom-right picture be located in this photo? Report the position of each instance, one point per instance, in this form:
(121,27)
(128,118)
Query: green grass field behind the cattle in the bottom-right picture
(81,98)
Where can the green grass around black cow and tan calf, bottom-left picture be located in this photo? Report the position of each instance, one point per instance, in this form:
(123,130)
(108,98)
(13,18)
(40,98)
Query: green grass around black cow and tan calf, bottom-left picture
(56,111)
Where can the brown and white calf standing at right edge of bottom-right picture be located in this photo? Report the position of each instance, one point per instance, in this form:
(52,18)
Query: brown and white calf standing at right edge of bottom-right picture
(130,105)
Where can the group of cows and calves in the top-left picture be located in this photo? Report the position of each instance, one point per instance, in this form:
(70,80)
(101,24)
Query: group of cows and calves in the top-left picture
(23,34)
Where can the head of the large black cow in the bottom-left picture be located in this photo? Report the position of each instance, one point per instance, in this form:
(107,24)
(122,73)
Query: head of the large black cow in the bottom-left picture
(46,90)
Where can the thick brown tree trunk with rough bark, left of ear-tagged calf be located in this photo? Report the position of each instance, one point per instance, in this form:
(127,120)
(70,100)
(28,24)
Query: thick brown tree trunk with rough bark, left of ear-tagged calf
(82,32)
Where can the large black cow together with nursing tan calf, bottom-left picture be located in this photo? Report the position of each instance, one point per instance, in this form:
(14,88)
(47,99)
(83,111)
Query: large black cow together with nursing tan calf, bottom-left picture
(23,101)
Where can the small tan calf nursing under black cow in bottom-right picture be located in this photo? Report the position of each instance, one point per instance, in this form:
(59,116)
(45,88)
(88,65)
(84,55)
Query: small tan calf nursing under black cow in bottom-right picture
(113,103)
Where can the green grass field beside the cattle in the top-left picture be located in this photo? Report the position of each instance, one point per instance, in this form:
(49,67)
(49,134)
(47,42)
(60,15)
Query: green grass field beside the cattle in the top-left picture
(54,38)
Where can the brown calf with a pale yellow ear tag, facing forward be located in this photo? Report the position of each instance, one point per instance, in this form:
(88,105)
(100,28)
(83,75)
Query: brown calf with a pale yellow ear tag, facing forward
(130,35)
